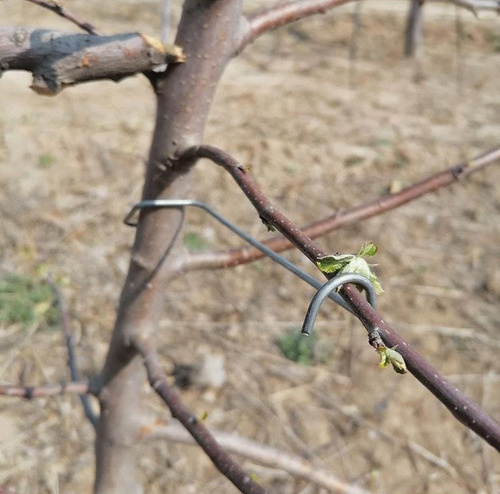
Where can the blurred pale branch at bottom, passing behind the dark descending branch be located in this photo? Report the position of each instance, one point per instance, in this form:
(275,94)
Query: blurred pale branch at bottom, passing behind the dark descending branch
(263,455)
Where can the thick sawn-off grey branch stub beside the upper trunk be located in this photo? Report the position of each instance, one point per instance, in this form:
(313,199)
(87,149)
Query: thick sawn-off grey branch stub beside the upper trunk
(58,59)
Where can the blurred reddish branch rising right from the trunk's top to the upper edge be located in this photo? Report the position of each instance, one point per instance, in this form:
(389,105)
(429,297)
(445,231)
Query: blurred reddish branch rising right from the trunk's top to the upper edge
(280,15)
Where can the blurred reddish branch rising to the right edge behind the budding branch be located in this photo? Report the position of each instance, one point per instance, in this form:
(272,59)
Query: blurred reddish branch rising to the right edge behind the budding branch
(244,255)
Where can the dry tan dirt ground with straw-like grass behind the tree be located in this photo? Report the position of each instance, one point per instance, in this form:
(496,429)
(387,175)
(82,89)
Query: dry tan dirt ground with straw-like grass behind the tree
(321,133)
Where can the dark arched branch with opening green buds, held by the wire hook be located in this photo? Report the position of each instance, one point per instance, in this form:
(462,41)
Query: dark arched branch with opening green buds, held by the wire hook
(462,407)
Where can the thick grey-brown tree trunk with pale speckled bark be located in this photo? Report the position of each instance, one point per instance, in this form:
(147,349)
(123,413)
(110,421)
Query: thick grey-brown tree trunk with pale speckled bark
(207,33)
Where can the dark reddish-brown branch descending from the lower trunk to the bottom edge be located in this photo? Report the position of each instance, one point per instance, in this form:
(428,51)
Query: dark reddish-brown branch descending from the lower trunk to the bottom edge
(226,465)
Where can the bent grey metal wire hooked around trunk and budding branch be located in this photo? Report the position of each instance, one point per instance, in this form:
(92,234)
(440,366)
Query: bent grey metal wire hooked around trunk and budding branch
(324,291)
